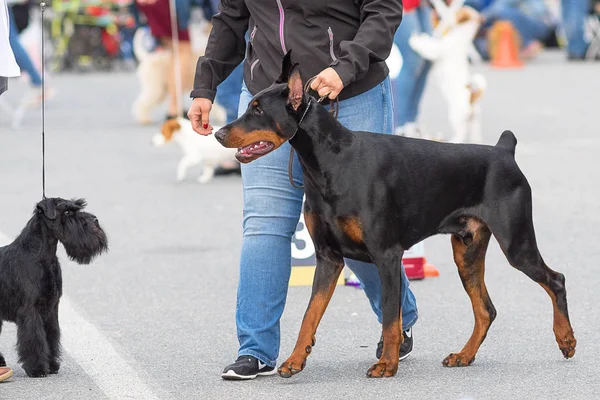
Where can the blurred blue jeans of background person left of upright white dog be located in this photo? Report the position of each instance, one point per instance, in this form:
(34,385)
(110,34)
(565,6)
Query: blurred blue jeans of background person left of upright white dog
(409,85)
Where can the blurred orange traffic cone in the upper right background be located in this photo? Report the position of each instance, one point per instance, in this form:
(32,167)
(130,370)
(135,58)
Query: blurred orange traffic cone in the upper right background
(504,43)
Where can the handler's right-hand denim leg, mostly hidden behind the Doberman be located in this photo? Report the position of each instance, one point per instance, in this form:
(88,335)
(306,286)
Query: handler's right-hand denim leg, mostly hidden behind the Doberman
(377,105)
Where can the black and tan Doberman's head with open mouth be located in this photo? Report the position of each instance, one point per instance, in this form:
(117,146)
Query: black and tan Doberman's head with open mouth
(272,117)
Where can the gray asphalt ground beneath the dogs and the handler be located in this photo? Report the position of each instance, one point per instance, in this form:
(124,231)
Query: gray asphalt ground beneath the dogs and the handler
(154,318)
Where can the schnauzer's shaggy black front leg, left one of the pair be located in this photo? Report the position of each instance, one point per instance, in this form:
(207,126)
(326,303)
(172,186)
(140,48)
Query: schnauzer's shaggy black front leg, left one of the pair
(32,345)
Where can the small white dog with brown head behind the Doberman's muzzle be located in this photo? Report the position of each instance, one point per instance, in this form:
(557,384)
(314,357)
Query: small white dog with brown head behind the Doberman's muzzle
(197,149)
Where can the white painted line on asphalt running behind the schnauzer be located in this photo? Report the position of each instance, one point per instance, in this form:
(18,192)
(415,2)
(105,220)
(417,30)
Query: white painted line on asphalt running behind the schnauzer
(95,354)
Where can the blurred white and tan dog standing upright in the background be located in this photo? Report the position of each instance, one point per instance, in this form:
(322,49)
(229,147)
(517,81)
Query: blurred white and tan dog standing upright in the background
(449,52)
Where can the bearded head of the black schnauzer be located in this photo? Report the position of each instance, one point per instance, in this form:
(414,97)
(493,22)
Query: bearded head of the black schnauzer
(78,231)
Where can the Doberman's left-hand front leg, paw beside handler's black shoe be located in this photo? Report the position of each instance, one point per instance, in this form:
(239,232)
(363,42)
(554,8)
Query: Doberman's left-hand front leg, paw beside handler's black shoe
(326,275)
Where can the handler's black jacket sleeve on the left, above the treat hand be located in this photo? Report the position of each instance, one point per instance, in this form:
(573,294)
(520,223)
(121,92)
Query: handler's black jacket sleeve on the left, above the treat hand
(225,49)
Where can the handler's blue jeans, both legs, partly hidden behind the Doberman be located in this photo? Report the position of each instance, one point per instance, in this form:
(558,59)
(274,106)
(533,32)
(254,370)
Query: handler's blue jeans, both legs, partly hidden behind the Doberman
(271,211)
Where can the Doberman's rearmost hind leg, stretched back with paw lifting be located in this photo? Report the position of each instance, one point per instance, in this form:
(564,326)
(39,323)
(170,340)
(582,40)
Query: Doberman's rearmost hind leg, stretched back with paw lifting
(512,225)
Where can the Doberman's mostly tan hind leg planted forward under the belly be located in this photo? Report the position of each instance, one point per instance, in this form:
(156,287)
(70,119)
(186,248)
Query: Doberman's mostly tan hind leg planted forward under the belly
(470,247)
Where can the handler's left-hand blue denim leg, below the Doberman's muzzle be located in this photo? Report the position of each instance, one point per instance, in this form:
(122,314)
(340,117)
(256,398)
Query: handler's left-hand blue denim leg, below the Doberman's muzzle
(271,212)
